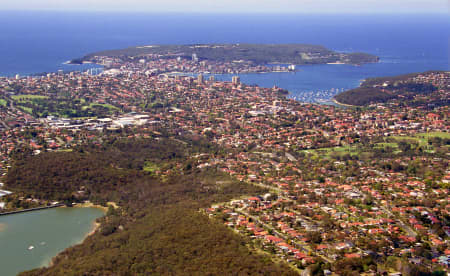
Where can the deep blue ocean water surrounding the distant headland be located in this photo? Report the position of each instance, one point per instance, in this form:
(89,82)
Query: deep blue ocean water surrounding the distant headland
(34,42)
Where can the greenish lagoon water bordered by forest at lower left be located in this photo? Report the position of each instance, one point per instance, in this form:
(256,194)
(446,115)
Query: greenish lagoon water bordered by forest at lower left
(49,231)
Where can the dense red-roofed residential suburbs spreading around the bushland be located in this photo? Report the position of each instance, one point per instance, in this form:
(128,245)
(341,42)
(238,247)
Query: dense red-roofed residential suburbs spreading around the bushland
(336,190)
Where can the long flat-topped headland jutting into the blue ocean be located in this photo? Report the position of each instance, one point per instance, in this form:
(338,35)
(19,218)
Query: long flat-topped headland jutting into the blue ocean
(219,56)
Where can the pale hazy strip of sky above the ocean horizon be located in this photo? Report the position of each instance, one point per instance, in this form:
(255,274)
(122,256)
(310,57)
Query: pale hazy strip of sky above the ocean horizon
(235,6)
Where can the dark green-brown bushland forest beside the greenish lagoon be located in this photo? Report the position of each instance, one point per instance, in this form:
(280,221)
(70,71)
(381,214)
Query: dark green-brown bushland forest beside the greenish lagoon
(158,228)
